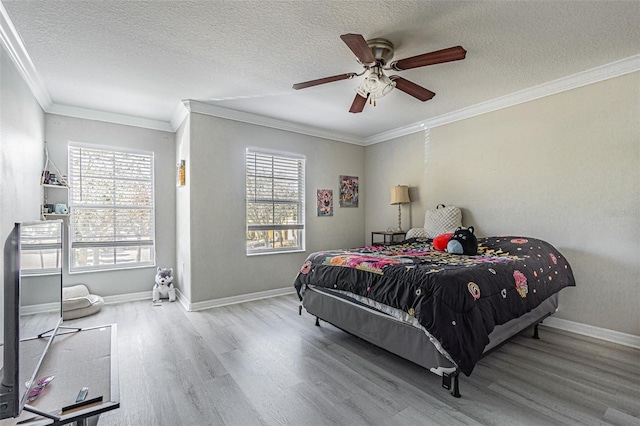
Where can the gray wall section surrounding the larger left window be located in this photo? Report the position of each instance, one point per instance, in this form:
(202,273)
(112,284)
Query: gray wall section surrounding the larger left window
(60,130)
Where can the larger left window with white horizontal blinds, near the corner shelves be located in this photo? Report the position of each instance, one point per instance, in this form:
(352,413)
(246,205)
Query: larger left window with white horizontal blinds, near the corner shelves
(111,202)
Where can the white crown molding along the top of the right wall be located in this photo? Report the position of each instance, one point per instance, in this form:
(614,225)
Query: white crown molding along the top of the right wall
(590,76)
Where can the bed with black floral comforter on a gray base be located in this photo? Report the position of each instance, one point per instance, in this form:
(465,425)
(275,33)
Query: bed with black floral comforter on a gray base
(439,310)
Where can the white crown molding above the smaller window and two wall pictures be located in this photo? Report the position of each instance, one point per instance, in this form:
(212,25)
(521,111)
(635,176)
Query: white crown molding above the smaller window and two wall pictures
(245,117)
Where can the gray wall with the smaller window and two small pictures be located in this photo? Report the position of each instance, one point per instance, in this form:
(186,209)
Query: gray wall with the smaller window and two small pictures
(219,265)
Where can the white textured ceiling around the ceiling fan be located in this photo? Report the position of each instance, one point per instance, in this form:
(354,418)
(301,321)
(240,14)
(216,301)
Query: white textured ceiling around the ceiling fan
(141,58)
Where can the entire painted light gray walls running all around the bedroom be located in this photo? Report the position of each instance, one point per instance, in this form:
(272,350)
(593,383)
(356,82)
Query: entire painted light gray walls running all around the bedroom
(563,168)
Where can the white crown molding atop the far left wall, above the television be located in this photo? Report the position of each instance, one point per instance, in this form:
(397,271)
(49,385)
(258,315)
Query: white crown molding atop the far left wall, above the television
(13,45)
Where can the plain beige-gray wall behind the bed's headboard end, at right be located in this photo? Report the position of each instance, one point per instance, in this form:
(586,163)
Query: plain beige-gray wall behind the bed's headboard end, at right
(565,168)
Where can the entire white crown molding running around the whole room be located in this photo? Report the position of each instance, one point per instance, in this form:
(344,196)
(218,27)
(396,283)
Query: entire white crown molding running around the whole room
(12,43)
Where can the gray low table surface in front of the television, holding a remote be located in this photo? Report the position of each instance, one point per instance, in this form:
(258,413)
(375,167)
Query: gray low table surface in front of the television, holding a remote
(77,359)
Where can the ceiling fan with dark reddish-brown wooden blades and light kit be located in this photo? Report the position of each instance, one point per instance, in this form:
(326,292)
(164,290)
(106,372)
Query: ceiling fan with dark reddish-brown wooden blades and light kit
(374,55)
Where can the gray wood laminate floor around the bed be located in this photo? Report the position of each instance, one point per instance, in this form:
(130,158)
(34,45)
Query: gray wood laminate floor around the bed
(259,363)
